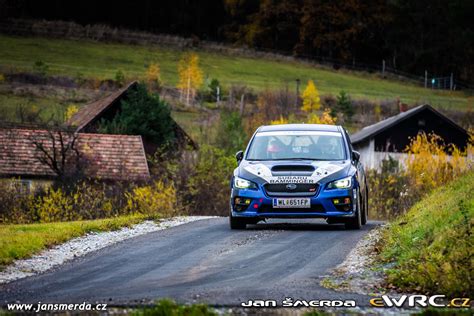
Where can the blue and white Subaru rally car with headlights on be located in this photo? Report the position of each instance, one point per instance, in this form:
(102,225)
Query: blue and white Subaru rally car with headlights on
(299,171)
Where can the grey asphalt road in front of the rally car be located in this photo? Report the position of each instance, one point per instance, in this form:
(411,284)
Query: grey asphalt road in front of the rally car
(202,261)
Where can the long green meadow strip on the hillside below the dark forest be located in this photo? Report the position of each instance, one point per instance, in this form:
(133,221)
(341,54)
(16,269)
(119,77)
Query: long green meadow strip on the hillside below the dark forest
(101,60)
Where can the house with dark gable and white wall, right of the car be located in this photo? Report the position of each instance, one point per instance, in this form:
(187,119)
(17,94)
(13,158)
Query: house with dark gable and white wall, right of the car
(391,136)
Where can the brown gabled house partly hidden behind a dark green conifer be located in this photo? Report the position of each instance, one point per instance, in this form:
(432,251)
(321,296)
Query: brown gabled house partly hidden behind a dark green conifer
(87,119)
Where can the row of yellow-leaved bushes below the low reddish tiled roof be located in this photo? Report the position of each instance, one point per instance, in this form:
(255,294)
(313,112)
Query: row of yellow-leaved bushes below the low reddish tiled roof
(84,201)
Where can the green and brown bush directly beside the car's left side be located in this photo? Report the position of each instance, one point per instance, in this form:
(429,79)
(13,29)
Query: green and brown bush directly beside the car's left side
(209,186)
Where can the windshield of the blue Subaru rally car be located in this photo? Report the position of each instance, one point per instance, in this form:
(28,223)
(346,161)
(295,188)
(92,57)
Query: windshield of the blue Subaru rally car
(295,145)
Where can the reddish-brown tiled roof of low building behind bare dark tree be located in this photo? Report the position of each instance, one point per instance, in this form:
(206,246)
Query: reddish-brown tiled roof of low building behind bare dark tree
(107,157)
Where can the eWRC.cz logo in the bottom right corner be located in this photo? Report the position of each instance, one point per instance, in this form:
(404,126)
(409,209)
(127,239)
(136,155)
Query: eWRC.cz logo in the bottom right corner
(420,301)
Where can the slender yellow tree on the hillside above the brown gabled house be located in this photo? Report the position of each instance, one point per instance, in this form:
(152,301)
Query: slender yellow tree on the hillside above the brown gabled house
(190,76)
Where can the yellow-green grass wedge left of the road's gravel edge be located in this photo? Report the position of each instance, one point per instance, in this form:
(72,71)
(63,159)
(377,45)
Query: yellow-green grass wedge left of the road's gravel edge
(19,241)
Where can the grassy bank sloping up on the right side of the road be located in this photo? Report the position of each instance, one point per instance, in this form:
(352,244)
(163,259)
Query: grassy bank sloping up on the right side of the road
(431,245)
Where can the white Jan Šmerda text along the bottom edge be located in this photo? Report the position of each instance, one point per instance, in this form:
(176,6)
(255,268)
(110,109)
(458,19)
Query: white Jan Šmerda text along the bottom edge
(289,302)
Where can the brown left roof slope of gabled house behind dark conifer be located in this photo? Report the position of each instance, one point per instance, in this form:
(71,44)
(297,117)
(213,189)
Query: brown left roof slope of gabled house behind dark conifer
(92,111)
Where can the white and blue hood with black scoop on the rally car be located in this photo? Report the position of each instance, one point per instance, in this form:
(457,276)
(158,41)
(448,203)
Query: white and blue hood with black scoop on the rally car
(291,171)
